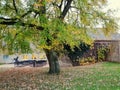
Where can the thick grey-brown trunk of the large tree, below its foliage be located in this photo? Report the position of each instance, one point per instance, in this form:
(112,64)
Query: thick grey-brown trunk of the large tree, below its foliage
(54,67)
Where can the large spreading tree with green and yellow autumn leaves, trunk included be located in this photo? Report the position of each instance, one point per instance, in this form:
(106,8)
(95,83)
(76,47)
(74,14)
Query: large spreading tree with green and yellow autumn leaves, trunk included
(51,24)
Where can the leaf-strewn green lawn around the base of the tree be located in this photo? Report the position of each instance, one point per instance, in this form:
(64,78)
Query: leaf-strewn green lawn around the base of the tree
(100,76)
